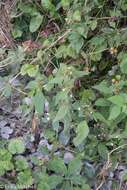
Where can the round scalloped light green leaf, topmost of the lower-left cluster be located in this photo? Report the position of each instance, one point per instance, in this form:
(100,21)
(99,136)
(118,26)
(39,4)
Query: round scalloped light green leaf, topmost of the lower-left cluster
(16,146)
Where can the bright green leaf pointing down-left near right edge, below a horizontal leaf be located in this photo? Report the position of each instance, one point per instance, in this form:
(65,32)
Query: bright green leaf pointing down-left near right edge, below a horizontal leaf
(114,112)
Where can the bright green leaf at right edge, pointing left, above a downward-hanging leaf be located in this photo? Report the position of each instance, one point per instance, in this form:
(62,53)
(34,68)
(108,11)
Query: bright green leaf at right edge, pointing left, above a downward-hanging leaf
(117,100)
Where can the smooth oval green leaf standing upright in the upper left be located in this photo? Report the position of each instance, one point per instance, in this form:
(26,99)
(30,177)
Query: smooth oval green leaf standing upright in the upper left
(35,23)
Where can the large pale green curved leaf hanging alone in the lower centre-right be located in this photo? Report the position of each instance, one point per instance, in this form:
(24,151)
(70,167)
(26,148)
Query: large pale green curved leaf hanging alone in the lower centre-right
(82,132)
